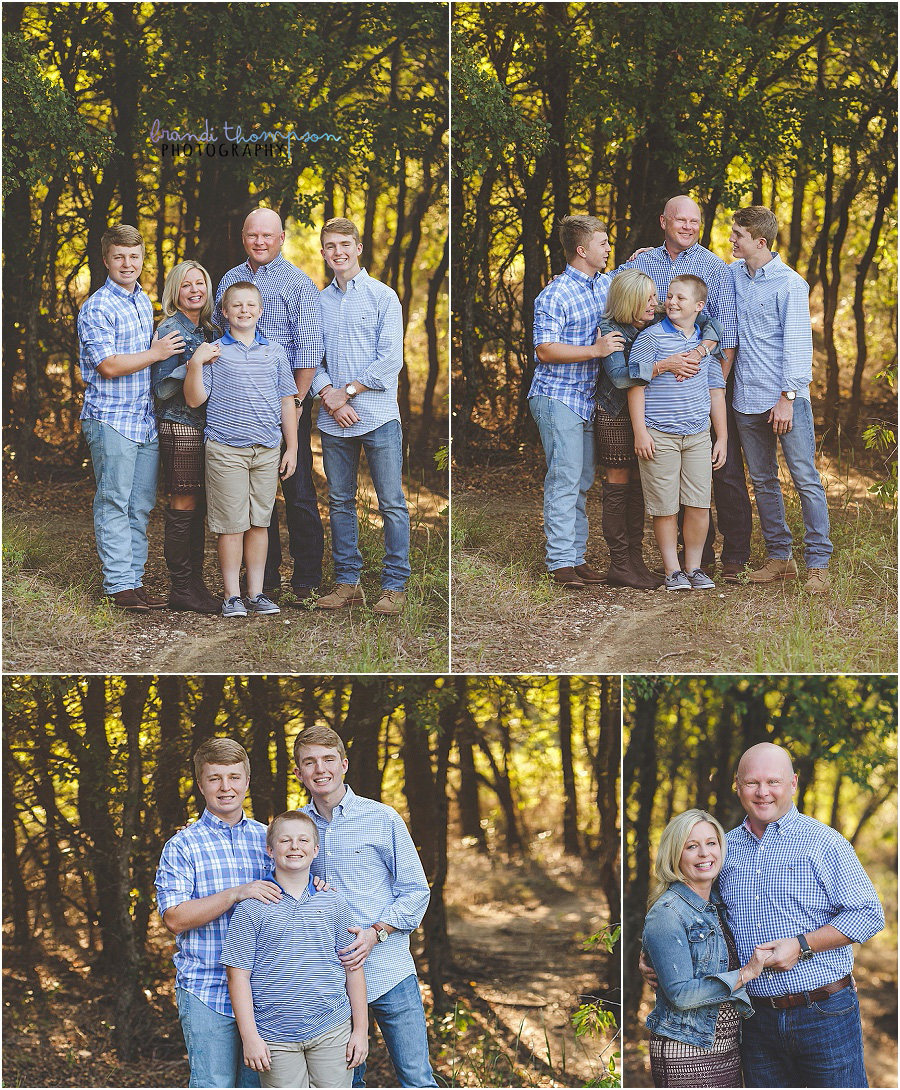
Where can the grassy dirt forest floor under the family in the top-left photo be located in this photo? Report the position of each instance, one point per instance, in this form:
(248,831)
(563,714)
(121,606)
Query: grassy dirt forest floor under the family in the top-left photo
(55,619)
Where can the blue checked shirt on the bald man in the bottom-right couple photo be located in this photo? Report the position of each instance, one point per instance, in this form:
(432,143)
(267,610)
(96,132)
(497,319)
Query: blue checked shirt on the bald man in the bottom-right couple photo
(799,877)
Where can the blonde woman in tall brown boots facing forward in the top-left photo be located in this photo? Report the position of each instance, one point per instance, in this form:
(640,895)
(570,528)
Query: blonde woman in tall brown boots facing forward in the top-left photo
(188,309)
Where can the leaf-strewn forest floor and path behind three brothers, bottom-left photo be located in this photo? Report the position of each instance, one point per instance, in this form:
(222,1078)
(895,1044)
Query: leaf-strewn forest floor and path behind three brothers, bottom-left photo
(520,968)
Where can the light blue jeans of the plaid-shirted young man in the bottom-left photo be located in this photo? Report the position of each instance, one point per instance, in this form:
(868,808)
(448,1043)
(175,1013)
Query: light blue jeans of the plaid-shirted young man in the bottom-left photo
(215,1051)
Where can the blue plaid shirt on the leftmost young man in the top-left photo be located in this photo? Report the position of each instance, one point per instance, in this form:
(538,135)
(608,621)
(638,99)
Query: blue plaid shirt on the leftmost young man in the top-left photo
(115,321)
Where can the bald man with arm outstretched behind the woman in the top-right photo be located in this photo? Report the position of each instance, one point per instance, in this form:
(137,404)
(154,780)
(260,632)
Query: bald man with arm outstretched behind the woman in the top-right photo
(679,255)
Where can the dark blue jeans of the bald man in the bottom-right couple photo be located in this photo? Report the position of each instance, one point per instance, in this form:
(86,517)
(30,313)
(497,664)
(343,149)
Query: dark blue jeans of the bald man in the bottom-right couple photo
(817,1046)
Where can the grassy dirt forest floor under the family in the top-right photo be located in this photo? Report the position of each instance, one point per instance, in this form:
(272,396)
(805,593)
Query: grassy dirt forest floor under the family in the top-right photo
(508,617)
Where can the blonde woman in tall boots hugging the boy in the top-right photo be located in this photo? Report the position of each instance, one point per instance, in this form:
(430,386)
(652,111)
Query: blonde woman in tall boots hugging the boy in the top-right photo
(631,307)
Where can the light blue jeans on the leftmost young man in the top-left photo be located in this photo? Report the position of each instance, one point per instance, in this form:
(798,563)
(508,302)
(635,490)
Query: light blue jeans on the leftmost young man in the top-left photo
(126,474)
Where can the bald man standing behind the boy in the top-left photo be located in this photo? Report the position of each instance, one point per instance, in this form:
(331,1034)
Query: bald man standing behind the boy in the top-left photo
(293,319)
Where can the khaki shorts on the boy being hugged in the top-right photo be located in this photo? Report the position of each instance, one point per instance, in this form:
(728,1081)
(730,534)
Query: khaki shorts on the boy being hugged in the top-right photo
(680,473)
